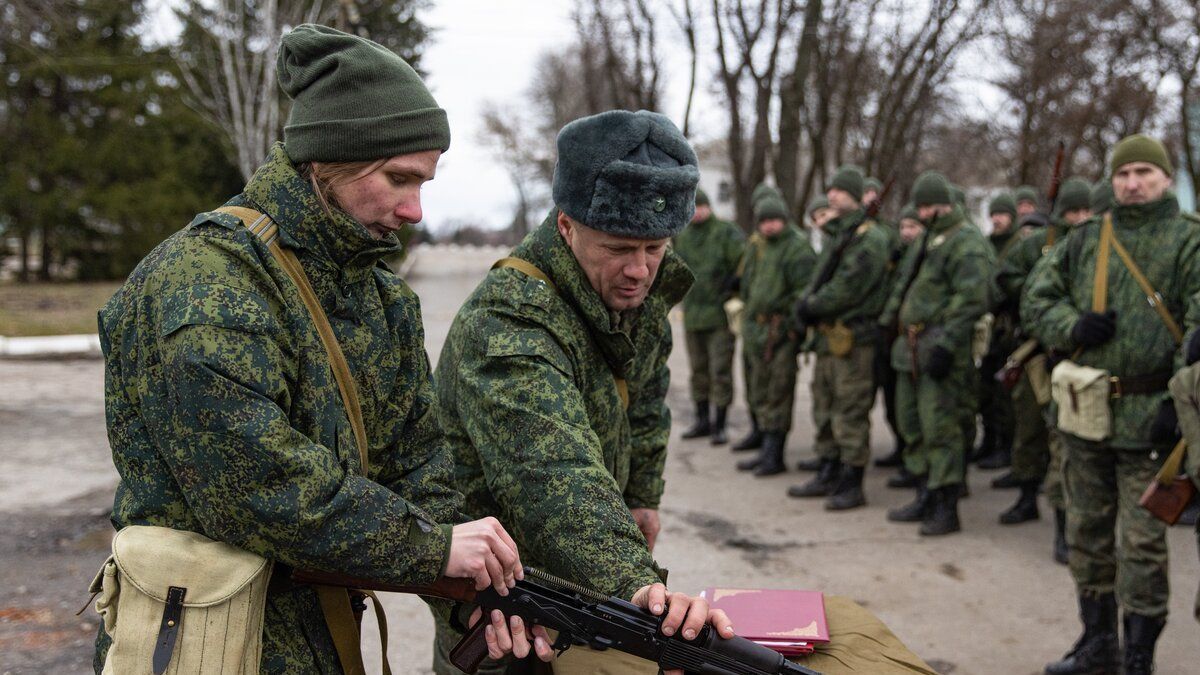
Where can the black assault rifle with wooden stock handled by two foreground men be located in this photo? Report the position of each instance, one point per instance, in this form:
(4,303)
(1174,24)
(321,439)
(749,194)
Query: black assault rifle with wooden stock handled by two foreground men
(585,618)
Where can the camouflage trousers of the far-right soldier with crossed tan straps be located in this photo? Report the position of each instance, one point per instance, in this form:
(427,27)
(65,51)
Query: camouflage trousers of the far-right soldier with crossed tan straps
(1115,546)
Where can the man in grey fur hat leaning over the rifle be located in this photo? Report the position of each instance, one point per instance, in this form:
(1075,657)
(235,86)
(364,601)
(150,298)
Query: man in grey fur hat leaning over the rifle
(554,378)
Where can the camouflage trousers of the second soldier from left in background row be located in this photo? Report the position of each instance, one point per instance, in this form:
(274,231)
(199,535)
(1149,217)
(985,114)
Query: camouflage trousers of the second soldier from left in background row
(771,375)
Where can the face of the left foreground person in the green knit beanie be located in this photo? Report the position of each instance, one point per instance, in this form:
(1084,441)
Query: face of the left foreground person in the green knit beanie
(389,198)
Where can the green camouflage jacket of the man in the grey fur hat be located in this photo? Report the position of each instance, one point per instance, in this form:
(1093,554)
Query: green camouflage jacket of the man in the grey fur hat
(535,416)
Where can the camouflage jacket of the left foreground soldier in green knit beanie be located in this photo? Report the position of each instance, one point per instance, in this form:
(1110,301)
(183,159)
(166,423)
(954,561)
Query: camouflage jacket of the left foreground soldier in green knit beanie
(225,419)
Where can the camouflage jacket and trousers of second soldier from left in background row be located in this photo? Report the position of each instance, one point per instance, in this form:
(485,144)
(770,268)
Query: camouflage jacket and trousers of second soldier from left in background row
(776,273)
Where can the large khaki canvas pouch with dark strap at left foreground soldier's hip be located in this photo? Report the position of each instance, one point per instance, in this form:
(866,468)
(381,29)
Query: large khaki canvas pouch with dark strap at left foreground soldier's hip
(197,602)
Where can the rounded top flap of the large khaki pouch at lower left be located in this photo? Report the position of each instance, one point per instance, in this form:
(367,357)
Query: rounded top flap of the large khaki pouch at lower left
(154,559)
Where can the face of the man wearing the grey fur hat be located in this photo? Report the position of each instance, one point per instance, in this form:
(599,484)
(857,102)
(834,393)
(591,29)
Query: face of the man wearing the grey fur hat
(621,270)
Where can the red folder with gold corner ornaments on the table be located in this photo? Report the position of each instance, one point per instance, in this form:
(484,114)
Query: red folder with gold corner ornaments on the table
(791,623)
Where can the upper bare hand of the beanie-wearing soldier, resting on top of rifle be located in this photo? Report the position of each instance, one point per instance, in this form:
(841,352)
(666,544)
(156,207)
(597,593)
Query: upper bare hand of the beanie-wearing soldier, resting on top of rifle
(484,552)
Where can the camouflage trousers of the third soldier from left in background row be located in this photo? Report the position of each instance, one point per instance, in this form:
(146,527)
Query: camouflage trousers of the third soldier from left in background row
(843,397)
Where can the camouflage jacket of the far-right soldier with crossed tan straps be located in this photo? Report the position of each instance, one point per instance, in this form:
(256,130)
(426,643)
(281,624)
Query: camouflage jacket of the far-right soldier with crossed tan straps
(1167,248)
